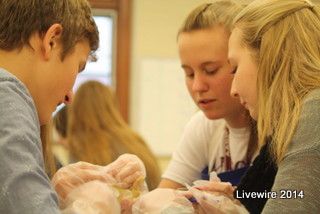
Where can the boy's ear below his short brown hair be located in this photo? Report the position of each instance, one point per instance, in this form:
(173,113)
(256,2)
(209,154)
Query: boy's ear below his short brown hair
(51,39)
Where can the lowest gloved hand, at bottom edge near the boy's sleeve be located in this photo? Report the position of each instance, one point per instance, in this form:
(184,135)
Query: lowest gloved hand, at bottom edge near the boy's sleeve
(94,197)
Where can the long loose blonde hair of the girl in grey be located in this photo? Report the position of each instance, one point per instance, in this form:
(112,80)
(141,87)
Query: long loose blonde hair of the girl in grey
(284,37)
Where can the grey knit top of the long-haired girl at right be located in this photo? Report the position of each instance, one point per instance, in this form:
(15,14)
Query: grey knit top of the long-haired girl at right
(298,177)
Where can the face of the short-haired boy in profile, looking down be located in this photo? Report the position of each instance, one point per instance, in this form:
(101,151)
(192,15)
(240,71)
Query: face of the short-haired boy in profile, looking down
(59,78)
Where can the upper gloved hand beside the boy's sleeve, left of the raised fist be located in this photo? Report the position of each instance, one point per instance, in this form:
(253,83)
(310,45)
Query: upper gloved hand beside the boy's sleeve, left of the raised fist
(72,176)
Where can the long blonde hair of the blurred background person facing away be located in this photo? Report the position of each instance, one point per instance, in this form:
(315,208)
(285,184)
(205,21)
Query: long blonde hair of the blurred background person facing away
(98,134)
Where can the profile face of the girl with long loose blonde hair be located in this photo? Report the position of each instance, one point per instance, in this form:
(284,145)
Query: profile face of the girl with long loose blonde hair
(244,83)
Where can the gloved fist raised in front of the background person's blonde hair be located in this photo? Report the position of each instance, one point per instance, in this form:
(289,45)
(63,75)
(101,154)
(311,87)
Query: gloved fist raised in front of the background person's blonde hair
(126,169)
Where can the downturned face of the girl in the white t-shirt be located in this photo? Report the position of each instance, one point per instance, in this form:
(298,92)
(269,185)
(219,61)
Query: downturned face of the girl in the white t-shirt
(204,59)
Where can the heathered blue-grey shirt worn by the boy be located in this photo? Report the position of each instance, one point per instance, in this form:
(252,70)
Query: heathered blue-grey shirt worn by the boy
(25,187)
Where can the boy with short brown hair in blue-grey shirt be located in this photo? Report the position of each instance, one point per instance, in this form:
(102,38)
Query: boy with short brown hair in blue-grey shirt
(44,44)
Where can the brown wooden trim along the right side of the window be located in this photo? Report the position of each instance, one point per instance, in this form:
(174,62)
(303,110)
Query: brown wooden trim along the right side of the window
(123,50)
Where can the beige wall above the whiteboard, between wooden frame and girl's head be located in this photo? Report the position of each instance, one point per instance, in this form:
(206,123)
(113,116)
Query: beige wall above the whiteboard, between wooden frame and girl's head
(155,25)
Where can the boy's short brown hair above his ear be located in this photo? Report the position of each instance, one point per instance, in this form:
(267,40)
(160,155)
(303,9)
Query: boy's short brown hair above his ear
(21,19)
